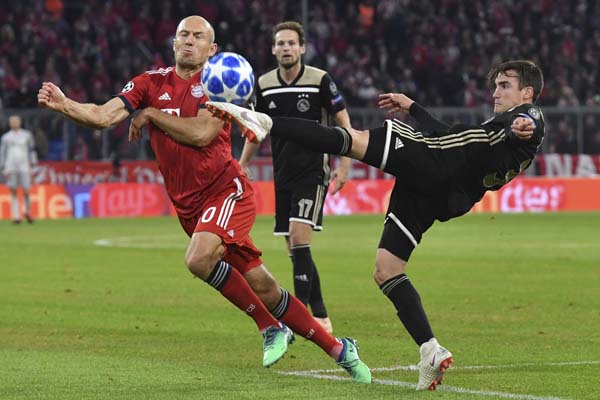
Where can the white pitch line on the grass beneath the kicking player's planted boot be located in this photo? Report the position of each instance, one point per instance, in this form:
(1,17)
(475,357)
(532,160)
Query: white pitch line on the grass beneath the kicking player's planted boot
(410,385)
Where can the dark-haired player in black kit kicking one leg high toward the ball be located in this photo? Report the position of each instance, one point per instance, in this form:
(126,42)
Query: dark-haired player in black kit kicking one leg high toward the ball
(441,172)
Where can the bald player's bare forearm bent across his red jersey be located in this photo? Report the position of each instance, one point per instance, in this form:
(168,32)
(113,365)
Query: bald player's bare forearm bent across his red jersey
(196,131)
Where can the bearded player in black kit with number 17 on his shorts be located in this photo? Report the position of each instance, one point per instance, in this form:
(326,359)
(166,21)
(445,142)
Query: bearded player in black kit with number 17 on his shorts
(301,176)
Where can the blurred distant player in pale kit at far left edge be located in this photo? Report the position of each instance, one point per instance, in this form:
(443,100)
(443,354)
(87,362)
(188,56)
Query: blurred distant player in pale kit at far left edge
(17,156)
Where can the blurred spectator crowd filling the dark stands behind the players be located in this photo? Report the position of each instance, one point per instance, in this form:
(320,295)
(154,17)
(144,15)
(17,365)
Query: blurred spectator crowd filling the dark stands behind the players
(437,51)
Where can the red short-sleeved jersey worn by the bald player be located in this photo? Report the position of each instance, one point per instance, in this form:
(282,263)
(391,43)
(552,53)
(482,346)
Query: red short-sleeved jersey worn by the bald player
(191,173)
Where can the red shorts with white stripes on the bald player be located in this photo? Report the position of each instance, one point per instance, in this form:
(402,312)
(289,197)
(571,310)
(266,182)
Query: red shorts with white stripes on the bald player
(230,215)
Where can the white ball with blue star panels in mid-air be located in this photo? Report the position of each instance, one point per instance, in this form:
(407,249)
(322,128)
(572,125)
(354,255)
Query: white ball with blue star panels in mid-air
(228,77)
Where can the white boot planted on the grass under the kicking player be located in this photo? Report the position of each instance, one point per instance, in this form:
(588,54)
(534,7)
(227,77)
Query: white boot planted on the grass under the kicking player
(435,360)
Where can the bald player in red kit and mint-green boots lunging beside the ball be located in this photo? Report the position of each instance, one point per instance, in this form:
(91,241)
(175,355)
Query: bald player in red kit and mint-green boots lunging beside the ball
(213,199)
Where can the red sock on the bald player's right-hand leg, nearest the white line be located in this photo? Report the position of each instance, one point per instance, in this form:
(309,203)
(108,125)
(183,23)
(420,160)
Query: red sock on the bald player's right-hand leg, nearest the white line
(300,321)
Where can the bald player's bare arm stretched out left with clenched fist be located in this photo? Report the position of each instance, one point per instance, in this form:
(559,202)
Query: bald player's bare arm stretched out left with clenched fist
(91,115)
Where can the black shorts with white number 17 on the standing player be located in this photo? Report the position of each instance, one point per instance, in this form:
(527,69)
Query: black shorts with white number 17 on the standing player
(301,201)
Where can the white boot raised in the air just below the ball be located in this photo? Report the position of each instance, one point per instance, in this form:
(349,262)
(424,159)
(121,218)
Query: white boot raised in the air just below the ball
(255,125)
